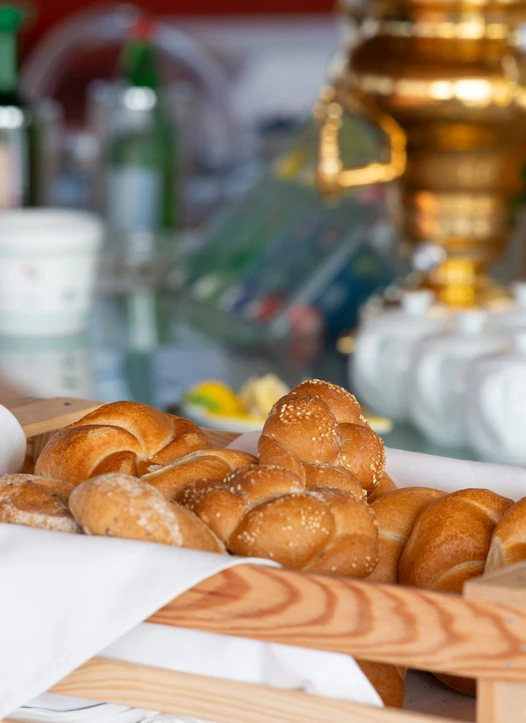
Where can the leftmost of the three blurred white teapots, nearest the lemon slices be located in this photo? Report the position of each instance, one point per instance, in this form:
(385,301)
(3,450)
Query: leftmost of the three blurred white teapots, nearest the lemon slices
(384,349)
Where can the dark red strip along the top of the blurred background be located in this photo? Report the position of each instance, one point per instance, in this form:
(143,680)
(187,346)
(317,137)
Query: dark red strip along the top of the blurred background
(47,13)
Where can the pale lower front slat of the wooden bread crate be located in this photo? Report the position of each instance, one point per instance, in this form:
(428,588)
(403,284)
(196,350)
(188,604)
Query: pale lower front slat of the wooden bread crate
(215,699)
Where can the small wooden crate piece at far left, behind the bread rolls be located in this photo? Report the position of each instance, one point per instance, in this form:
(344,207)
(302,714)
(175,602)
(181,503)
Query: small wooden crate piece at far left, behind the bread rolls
(40,416)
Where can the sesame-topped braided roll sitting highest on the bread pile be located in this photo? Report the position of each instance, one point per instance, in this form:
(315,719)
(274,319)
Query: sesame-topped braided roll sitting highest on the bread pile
(320,422)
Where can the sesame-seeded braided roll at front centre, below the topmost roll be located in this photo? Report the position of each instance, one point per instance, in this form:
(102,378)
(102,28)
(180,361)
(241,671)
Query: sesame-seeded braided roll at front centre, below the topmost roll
(268,511)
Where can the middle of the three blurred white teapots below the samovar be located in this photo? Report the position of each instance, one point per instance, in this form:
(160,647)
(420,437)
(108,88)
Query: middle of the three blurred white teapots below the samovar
(439,376)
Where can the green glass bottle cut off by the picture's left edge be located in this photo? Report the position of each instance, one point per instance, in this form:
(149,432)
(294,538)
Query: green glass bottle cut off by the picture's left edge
(18,172)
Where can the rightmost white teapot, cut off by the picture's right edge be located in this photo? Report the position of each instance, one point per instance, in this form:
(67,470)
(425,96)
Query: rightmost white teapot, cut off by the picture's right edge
(496,406)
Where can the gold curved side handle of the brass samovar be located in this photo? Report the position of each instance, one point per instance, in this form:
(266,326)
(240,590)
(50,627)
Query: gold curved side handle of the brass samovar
(333,176)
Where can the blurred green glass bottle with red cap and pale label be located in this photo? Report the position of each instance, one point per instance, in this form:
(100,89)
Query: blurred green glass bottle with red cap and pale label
(141,156)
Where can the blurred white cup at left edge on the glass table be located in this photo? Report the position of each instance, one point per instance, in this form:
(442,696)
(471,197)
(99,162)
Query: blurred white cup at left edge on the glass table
(48,260)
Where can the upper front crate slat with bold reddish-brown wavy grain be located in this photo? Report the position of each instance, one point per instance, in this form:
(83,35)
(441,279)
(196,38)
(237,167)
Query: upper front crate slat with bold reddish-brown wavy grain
(393,624)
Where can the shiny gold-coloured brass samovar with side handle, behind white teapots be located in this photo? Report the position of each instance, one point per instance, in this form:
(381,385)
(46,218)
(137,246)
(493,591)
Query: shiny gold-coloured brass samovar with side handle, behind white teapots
(441,79)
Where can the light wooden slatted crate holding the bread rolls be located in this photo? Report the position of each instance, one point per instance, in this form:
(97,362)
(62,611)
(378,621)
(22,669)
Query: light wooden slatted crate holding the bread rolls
(481,634)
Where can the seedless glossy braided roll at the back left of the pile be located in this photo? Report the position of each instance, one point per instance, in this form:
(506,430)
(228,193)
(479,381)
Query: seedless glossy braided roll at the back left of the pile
(125,437)
